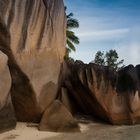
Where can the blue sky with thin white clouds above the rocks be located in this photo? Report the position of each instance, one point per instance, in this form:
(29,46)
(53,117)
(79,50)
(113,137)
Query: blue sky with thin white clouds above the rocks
(105,25)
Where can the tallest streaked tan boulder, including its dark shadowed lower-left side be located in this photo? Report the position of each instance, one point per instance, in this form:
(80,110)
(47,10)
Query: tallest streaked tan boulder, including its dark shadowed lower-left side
(35,47)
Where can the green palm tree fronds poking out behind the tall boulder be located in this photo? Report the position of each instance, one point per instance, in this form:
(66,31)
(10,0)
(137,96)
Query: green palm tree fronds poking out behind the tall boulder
(72,39)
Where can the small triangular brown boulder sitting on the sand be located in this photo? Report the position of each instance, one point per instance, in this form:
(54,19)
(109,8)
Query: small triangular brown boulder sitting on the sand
(58,119)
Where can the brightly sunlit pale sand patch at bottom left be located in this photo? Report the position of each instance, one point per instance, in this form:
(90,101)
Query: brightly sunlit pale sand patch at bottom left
(24,131)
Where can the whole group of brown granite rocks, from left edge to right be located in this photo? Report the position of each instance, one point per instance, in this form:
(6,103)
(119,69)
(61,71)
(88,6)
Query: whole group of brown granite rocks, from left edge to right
(36,85)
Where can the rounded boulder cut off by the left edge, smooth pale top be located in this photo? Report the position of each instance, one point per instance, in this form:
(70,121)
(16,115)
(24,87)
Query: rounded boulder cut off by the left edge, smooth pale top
(7,116)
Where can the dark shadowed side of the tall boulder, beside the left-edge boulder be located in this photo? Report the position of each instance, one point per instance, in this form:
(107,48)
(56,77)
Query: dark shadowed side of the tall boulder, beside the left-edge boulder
(23,96)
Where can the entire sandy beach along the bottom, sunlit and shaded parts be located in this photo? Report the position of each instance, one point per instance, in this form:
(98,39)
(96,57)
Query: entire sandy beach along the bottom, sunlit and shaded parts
(91,131)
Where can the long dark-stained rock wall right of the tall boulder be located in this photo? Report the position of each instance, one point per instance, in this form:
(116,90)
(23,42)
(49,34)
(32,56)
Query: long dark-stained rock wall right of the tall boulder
(101,92)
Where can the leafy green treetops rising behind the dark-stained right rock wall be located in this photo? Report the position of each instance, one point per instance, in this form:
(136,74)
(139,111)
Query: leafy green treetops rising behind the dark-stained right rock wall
(110,59)
